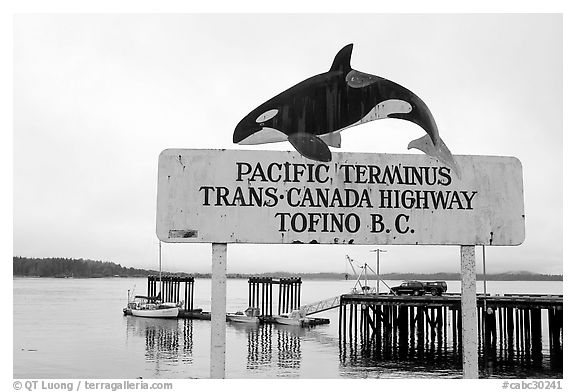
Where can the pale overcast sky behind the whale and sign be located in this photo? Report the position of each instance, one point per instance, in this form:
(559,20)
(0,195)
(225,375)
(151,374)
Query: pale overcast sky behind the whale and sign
(97,97)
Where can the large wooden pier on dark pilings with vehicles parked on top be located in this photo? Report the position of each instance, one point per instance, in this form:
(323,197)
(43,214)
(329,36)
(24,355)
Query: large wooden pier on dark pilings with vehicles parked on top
(510,325)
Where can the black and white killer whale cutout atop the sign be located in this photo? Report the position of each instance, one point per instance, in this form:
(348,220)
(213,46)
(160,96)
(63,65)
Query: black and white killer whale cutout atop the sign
(385,99)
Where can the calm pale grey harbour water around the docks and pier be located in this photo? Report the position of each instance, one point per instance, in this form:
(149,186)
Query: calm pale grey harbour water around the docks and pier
(74,328)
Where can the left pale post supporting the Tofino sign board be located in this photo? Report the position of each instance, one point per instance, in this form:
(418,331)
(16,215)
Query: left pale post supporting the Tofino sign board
(218,316)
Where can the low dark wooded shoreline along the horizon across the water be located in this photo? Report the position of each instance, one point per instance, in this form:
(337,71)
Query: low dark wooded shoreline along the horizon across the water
(56,267)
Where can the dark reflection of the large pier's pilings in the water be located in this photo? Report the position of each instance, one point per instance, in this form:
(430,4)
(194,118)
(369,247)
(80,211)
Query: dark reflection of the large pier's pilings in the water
(434,347)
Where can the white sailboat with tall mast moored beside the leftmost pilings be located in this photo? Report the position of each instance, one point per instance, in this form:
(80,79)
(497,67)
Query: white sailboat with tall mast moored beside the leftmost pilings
(154,307)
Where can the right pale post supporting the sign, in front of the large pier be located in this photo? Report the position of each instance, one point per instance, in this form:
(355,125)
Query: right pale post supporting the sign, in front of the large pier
(469,312)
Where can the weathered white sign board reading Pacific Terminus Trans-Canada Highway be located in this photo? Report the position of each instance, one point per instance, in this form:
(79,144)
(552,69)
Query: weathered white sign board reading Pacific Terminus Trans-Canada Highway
(273,197)
